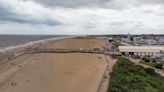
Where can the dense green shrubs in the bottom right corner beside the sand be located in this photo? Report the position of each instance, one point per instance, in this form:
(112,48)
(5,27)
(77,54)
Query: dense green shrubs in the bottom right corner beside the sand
(127,77)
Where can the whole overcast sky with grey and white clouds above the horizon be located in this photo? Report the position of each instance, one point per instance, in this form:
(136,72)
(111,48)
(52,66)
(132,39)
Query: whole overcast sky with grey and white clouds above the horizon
(81,16)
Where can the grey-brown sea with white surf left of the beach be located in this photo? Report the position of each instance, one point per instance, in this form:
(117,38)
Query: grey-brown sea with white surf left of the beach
(11,41)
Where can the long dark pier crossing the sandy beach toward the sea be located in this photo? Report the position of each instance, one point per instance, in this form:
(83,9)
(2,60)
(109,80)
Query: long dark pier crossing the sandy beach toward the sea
(36,49)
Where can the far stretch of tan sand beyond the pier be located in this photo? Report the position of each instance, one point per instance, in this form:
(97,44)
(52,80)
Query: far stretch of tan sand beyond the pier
(76,43)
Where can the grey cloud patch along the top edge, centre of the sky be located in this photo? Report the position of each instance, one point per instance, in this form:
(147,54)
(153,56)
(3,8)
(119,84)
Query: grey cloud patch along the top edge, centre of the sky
(72,3)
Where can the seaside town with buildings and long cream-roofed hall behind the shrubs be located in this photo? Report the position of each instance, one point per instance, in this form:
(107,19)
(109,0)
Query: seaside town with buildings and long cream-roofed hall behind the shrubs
(148,49)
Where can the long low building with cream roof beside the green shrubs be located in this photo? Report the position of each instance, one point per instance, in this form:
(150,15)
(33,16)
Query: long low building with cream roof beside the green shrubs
(141,50)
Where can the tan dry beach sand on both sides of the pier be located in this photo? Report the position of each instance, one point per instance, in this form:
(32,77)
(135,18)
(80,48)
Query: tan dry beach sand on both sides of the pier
(50,72)
